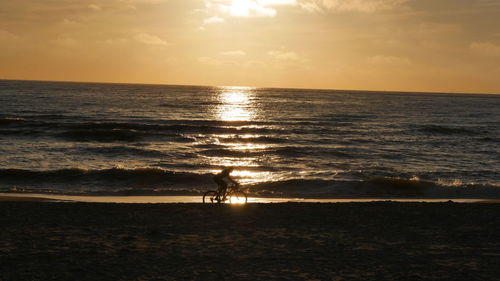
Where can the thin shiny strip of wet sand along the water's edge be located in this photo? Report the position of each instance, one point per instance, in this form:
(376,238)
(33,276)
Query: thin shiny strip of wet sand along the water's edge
(145,199)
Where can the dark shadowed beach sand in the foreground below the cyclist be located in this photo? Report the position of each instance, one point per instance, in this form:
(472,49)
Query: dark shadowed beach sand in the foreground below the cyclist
(291,241)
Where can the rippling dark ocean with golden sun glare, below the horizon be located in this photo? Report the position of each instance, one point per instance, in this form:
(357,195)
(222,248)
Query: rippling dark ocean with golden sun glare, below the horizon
(127,139)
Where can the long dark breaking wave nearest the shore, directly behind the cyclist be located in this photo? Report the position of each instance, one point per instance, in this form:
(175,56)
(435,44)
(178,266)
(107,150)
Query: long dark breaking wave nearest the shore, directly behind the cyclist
(155,181)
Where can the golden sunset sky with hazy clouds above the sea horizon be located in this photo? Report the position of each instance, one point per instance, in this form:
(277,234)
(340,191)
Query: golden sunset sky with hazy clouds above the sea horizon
(390,45)
